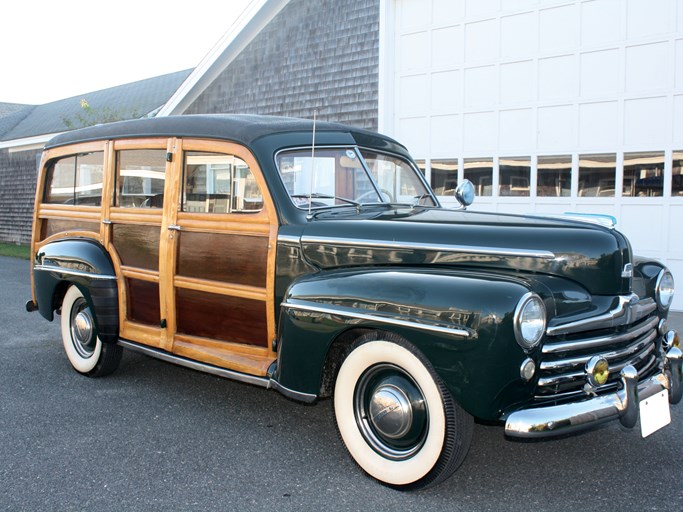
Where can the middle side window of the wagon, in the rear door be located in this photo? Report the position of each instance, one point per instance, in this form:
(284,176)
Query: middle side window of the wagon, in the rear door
(140,177)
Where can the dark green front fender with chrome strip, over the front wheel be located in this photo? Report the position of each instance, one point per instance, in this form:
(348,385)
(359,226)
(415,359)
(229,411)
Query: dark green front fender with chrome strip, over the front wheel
(460,320)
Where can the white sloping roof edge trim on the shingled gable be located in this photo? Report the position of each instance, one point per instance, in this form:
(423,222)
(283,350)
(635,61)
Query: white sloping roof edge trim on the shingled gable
(247,26)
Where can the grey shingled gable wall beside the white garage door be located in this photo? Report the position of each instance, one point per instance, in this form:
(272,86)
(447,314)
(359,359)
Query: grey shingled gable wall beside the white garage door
(321,54)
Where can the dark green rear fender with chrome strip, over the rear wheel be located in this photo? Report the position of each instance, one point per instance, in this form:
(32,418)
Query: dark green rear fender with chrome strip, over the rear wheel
(86,264)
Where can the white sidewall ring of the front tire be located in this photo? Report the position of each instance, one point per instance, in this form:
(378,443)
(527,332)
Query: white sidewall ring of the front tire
(393,472)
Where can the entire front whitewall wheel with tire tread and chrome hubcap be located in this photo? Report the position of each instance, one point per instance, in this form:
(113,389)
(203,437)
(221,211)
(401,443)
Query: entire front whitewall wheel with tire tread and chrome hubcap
(396,417)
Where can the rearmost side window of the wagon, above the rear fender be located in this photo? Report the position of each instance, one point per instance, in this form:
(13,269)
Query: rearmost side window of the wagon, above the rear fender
(76,180)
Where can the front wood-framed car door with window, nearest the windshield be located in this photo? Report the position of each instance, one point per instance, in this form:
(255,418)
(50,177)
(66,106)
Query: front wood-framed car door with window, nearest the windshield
(217,258)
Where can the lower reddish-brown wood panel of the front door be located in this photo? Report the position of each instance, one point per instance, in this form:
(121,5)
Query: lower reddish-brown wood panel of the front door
(221,317)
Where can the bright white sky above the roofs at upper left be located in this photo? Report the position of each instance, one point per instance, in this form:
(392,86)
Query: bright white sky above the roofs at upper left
(51,50)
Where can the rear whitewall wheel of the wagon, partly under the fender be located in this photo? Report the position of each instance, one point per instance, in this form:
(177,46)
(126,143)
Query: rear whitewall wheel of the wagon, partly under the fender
(86,353)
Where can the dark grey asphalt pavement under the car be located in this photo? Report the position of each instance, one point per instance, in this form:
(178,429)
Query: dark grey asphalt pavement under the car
(154,436)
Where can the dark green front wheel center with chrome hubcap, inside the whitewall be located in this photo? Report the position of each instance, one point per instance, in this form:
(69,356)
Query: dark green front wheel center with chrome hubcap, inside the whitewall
(391,412)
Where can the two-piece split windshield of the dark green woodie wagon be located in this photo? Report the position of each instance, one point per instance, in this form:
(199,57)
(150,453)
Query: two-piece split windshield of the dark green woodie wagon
(341,176)
